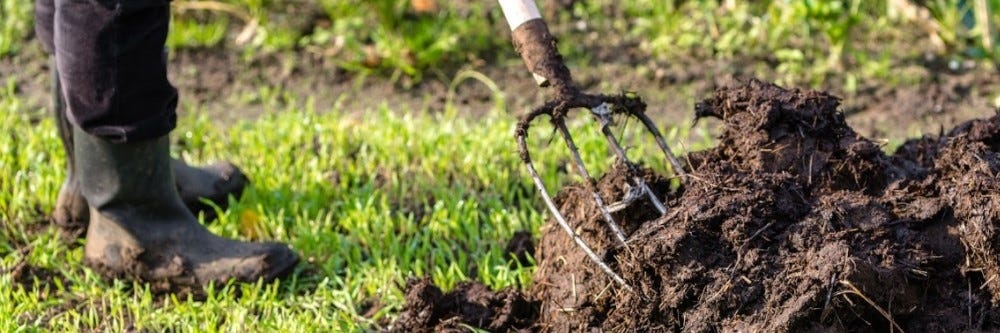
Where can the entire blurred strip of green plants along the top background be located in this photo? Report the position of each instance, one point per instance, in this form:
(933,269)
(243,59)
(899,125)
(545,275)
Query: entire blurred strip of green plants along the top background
(805,41)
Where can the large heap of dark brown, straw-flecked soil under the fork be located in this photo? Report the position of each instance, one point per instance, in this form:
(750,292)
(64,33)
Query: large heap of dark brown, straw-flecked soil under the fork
(794,222)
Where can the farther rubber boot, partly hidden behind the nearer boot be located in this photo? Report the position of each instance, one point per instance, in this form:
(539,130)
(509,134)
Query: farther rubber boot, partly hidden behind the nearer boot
(214,182)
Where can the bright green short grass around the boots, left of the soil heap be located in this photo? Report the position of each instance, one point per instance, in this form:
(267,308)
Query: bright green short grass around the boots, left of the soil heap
(368,200)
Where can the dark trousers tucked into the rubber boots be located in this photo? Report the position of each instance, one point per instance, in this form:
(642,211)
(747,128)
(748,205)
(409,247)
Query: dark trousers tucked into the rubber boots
(111,64)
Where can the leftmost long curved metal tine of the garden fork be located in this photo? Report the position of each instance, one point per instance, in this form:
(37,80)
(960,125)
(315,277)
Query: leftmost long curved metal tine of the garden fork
(522,133)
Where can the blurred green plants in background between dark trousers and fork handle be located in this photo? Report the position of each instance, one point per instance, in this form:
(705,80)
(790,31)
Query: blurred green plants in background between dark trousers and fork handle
(371,37)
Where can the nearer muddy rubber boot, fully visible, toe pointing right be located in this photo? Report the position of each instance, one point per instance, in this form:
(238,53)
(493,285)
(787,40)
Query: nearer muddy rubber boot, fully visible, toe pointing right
(140,228)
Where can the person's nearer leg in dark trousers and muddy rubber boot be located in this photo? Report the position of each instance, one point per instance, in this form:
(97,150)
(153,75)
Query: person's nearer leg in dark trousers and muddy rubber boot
(113,76)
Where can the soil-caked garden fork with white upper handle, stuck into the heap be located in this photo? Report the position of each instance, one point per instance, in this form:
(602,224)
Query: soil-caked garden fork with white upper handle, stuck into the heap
(537,48)
